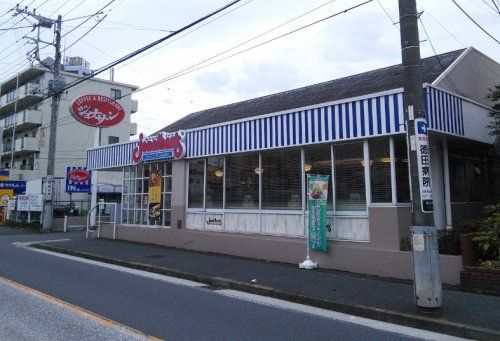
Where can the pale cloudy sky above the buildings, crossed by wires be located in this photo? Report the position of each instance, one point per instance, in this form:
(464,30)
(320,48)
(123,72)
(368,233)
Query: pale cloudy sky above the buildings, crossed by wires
(359,40)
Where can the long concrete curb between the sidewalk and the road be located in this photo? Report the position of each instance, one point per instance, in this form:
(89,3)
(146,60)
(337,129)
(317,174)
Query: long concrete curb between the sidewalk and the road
(405,319)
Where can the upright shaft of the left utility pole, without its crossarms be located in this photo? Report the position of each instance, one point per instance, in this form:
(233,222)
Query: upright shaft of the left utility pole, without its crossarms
(47,223)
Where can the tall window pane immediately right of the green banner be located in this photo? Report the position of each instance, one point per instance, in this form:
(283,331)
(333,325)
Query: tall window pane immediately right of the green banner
(350,178)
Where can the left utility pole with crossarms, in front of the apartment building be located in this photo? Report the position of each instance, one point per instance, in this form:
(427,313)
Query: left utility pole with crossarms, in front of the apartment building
(54,88)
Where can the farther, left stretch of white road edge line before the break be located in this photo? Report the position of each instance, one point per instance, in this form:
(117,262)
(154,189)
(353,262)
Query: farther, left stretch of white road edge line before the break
(151,275)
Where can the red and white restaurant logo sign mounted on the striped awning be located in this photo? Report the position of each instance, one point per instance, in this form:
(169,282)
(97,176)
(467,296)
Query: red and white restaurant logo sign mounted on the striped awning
(159,147)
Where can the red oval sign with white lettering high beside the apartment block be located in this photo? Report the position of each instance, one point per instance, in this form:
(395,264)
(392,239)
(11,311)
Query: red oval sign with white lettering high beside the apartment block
(97,111)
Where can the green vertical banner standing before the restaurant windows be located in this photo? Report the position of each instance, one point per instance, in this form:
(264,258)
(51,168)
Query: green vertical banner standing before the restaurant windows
(317,193)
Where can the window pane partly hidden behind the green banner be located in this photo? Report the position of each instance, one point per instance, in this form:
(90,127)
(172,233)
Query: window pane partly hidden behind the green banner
(318,160)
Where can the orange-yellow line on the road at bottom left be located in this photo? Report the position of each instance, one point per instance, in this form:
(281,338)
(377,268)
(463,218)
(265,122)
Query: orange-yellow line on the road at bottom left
(74,309)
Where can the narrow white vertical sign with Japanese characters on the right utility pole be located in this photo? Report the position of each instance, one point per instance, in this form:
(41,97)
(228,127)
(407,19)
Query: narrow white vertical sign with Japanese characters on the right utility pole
(423,162)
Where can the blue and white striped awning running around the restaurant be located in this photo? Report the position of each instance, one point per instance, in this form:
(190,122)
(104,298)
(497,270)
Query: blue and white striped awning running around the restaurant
(339,121)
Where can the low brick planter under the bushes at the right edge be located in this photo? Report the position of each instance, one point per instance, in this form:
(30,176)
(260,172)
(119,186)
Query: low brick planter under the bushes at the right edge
(482,279)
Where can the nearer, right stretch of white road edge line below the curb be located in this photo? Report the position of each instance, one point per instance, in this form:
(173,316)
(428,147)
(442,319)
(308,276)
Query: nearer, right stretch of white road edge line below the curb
(379,325)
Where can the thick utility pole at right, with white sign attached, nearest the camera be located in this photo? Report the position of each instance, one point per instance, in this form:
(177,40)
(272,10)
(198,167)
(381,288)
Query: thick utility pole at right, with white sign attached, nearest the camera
(427,280)
